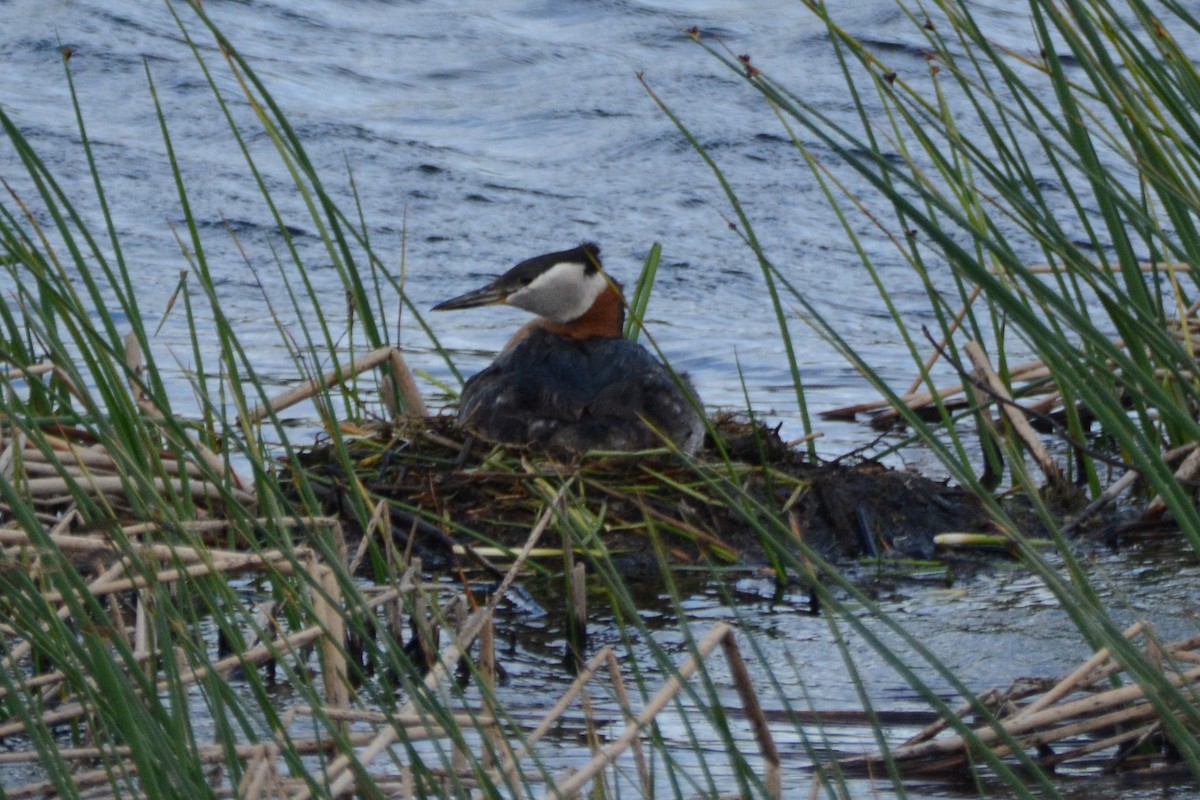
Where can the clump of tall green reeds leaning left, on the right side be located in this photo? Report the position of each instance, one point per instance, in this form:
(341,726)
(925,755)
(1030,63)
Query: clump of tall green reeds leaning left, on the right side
(1066,233)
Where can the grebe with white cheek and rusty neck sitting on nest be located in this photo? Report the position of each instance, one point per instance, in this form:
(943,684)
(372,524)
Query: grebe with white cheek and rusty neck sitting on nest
(568,381)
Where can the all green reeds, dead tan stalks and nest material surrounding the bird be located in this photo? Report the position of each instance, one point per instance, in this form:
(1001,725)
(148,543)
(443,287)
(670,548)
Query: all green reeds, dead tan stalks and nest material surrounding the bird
(205,604)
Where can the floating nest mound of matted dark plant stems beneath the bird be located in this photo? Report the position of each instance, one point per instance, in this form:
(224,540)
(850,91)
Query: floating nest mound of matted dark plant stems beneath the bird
(446,489)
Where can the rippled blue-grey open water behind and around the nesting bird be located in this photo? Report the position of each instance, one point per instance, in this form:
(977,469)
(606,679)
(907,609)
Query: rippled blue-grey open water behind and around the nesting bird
(483,134)
